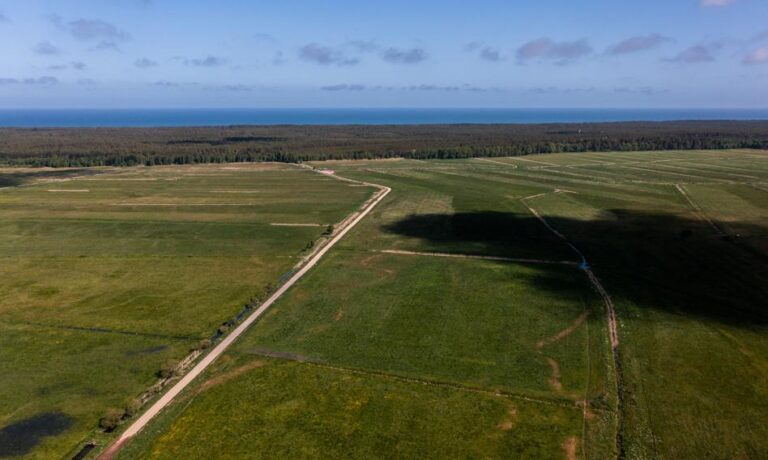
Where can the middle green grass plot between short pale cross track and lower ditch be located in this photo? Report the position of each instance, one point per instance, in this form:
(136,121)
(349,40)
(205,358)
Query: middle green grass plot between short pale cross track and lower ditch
(470,322)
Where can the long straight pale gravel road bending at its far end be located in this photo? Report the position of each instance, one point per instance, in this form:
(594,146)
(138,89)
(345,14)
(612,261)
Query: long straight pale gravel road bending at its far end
(219,349)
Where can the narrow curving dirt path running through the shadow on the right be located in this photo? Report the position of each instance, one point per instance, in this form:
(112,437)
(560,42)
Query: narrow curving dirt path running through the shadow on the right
(612,324)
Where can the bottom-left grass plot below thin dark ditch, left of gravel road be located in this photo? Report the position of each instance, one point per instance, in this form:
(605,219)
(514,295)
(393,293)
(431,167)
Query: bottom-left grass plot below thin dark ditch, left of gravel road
(76,373)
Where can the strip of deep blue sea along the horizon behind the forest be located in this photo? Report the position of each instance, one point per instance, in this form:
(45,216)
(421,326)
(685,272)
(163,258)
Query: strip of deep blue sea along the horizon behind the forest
(40,118)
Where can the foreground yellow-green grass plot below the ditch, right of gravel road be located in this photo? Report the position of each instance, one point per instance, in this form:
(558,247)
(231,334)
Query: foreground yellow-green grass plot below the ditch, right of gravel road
(283,409)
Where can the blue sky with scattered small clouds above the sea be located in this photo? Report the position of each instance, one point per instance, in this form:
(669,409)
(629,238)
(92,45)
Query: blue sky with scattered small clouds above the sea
(396,53)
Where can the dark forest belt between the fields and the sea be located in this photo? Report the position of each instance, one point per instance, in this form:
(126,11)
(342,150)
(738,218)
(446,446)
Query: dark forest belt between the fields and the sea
(168,146)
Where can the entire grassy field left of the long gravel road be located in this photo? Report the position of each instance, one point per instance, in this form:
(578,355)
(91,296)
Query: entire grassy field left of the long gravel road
(107,274)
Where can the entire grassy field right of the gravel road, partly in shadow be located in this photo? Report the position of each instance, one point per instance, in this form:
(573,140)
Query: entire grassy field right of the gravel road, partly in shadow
(677,238)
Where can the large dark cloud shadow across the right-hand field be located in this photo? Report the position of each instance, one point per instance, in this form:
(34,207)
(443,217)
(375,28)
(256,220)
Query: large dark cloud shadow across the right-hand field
(660,261)
